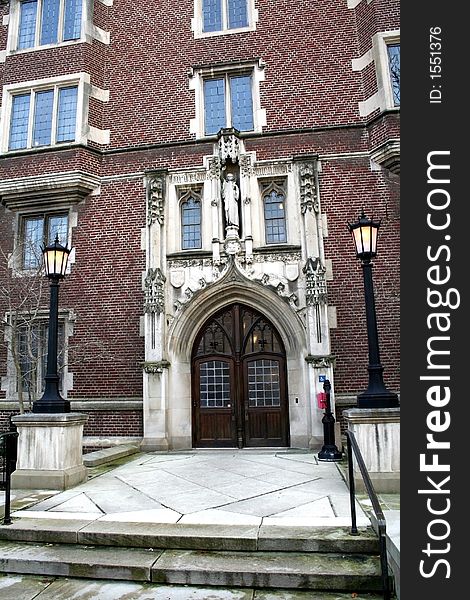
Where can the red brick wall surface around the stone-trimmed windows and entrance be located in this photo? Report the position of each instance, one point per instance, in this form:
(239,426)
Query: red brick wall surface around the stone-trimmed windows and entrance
(309,91)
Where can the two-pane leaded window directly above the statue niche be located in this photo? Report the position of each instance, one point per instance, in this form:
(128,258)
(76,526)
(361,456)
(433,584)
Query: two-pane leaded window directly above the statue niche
(228,102)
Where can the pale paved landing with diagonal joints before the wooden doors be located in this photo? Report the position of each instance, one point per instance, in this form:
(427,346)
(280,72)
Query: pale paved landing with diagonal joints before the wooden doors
(225,487)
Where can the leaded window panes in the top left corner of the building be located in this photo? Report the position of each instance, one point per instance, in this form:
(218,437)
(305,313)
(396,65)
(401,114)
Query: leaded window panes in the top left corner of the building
(44,22)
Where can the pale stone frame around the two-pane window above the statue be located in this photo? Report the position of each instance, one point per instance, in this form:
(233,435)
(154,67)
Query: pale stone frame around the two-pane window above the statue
(198,74)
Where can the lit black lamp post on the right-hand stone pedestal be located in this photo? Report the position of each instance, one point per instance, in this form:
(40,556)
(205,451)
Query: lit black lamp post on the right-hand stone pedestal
(364,233)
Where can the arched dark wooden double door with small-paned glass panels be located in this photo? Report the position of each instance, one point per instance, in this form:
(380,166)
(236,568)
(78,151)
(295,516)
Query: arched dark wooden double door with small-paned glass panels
(239,390)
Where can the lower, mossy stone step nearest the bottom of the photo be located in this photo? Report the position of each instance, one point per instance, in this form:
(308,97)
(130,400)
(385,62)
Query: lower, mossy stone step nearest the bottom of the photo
(312,571)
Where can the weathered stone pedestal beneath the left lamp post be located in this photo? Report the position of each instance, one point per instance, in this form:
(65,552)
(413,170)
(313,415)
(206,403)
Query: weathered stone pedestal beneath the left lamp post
(50,453)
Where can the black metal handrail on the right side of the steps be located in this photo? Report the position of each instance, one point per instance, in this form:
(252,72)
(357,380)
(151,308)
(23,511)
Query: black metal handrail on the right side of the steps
(352,444)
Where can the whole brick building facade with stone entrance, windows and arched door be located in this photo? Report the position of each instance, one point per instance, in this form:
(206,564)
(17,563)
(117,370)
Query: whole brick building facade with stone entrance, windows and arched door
(203,163)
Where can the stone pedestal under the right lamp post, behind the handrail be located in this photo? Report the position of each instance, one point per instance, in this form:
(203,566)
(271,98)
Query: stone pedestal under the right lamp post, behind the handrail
(377,432)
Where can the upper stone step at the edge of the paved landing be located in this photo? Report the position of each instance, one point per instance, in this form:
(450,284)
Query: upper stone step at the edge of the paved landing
(196,537)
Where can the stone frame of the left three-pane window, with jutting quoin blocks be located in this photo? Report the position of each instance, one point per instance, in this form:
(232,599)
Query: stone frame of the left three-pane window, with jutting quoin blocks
(83,131)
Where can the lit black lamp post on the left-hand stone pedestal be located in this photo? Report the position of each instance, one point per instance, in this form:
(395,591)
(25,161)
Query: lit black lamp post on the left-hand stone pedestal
(55,264)
